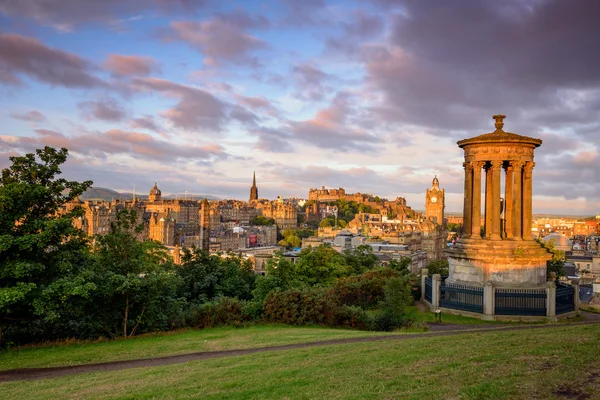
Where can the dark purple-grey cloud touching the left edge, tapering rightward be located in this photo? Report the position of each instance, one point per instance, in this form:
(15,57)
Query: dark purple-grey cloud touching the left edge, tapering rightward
(25,56)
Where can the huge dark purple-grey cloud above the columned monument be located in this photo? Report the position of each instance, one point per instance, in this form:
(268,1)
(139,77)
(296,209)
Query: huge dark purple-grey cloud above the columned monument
(474,58)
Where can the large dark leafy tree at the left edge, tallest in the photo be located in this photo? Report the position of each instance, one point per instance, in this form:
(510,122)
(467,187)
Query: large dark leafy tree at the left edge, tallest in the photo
(38,242)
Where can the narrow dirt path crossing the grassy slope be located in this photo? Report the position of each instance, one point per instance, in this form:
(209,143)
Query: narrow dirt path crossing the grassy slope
(53,372)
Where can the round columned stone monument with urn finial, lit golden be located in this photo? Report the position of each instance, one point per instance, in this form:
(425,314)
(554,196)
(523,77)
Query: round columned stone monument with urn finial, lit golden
(502,251)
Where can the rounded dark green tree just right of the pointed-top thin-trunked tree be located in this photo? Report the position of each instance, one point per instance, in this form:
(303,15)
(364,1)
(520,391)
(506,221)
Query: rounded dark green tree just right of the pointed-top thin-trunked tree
(206,277)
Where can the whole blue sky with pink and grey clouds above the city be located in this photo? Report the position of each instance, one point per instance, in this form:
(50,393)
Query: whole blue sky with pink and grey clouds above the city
(368,95)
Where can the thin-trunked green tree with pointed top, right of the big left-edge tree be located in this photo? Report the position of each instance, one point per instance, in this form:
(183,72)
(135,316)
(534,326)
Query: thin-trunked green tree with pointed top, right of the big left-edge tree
(136,282)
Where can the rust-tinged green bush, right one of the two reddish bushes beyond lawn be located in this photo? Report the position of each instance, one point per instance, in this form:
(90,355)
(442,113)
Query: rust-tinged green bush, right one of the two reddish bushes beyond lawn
(366,290)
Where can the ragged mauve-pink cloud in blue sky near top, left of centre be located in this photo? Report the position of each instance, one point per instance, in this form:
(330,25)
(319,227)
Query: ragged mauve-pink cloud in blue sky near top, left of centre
(220,39)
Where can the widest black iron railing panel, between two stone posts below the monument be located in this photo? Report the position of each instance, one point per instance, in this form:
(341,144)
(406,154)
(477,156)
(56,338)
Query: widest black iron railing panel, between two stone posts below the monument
(520,302)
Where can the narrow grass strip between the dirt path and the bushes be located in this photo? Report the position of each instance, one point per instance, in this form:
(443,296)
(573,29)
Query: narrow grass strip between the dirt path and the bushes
(180,342)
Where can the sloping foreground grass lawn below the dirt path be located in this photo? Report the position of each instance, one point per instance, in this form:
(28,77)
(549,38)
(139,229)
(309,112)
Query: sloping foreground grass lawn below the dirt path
(559,362)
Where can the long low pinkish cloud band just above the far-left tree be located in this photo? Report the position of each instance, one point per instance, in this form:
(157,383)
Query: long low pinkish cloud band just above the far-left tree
(115,142)
